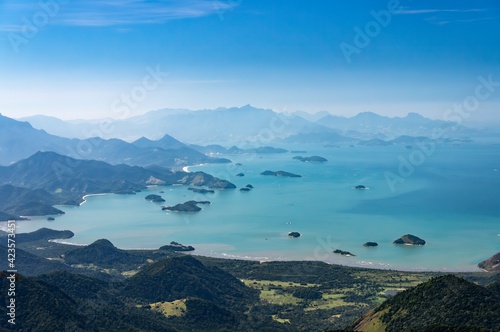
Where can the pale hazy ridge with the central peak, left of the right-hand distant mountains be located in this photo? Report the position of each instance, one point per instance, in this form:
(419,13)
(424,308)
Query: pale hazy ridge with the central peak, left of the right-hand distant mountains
(233,125)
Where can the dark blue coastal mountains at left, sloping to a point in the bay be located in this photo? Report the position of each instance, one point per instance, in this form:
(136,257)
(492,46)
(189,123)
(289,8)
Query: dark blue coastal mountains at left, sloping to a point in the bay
(31,186)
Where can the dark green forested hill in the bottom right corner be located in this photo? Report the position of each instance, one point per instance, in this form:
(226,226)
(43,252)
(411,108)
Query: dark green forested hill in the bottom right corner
(445,303)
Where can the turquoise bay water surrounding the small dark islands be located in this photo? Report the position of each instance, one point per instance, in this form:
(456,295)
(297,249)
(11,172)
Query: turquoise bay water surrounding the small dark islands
(449,198)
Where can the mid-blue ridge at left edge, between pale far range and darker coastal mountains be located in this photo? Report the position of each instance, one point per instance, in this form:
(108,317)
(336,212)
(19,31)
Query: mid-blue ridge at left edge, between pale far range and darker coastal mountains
(19,140)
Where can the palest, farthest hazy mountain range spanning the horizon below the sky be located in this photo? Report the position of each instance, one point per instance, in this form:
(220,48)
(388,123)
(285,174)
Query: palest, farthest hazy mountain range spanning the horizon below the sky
(238,125)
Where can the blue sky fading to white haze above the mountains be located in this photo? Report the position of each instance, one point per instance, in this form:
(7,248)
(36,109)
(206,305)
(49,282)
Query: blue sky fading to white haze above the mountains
(92,59)
